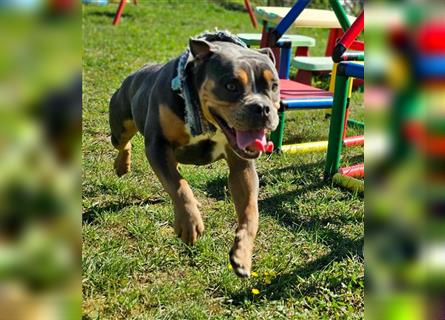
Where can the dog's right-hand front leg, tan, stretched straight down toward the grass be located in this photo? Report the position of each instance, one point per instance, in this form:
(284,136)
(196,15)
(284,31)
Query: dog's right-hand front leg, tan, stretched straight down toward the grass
(243,184)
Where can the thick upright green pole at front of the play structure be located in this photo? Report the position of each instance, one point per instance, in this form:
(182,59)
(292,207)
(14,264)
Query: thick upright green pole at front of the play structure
(336,126)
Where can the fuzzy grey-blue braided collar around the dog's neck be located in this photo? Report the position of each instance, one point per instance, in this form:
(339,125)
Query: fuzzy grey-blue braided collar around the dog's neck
(181,84)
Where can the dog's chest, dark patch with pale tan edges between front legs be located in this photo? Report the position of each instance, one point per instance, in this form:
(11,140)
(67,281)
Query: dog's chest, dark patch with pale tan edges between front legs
(202,149)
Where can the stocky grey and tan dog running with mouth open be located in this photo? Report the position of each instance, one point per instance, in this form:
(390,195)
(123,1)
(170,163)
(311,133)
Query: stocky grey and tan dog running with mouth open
(216,101)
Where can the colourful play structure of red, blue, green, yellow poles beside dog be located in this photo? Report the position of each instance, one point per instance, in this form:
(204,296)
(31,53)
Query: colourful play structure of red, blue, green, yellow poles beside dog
(299,96)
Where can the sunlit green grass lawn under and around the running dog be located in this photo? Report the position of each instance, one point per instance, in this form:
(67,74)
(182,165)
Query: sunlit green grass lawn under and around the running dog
(308,255)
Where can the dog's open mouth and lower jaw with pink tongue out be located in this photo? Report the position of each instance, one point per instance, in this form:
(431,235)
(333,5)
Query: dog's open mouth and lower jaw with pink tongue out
(247,144)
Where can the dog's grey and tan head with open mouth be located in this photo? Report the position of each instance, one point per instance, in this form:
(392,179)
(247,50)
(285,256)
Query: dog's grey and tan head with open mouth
(238,90)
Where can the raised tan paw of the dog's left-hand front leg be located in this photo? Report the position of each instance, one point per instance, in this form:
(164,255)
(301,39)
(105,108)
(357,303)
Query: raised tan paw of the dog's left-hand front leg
(188,224)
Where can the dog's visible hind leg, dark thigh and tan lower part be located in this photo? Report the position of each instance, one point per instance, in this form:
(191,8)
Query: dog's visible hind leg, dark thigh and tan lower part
(123,129)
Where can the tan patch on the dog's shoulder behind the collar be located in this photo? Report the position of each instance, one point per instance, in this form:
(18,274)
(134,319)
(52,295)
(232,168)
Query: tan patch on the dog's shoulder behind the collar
(172,127)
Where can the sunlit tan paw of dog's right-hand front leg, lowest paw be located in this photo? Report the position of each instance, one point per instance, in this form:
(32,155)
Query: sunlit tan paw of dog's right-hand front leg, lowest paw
(241,255)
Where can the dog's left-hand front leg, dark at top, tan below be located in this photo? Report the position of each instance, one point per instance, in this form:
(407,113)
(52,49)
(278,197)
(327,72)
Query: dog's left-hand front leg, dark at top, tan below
(188,221)
